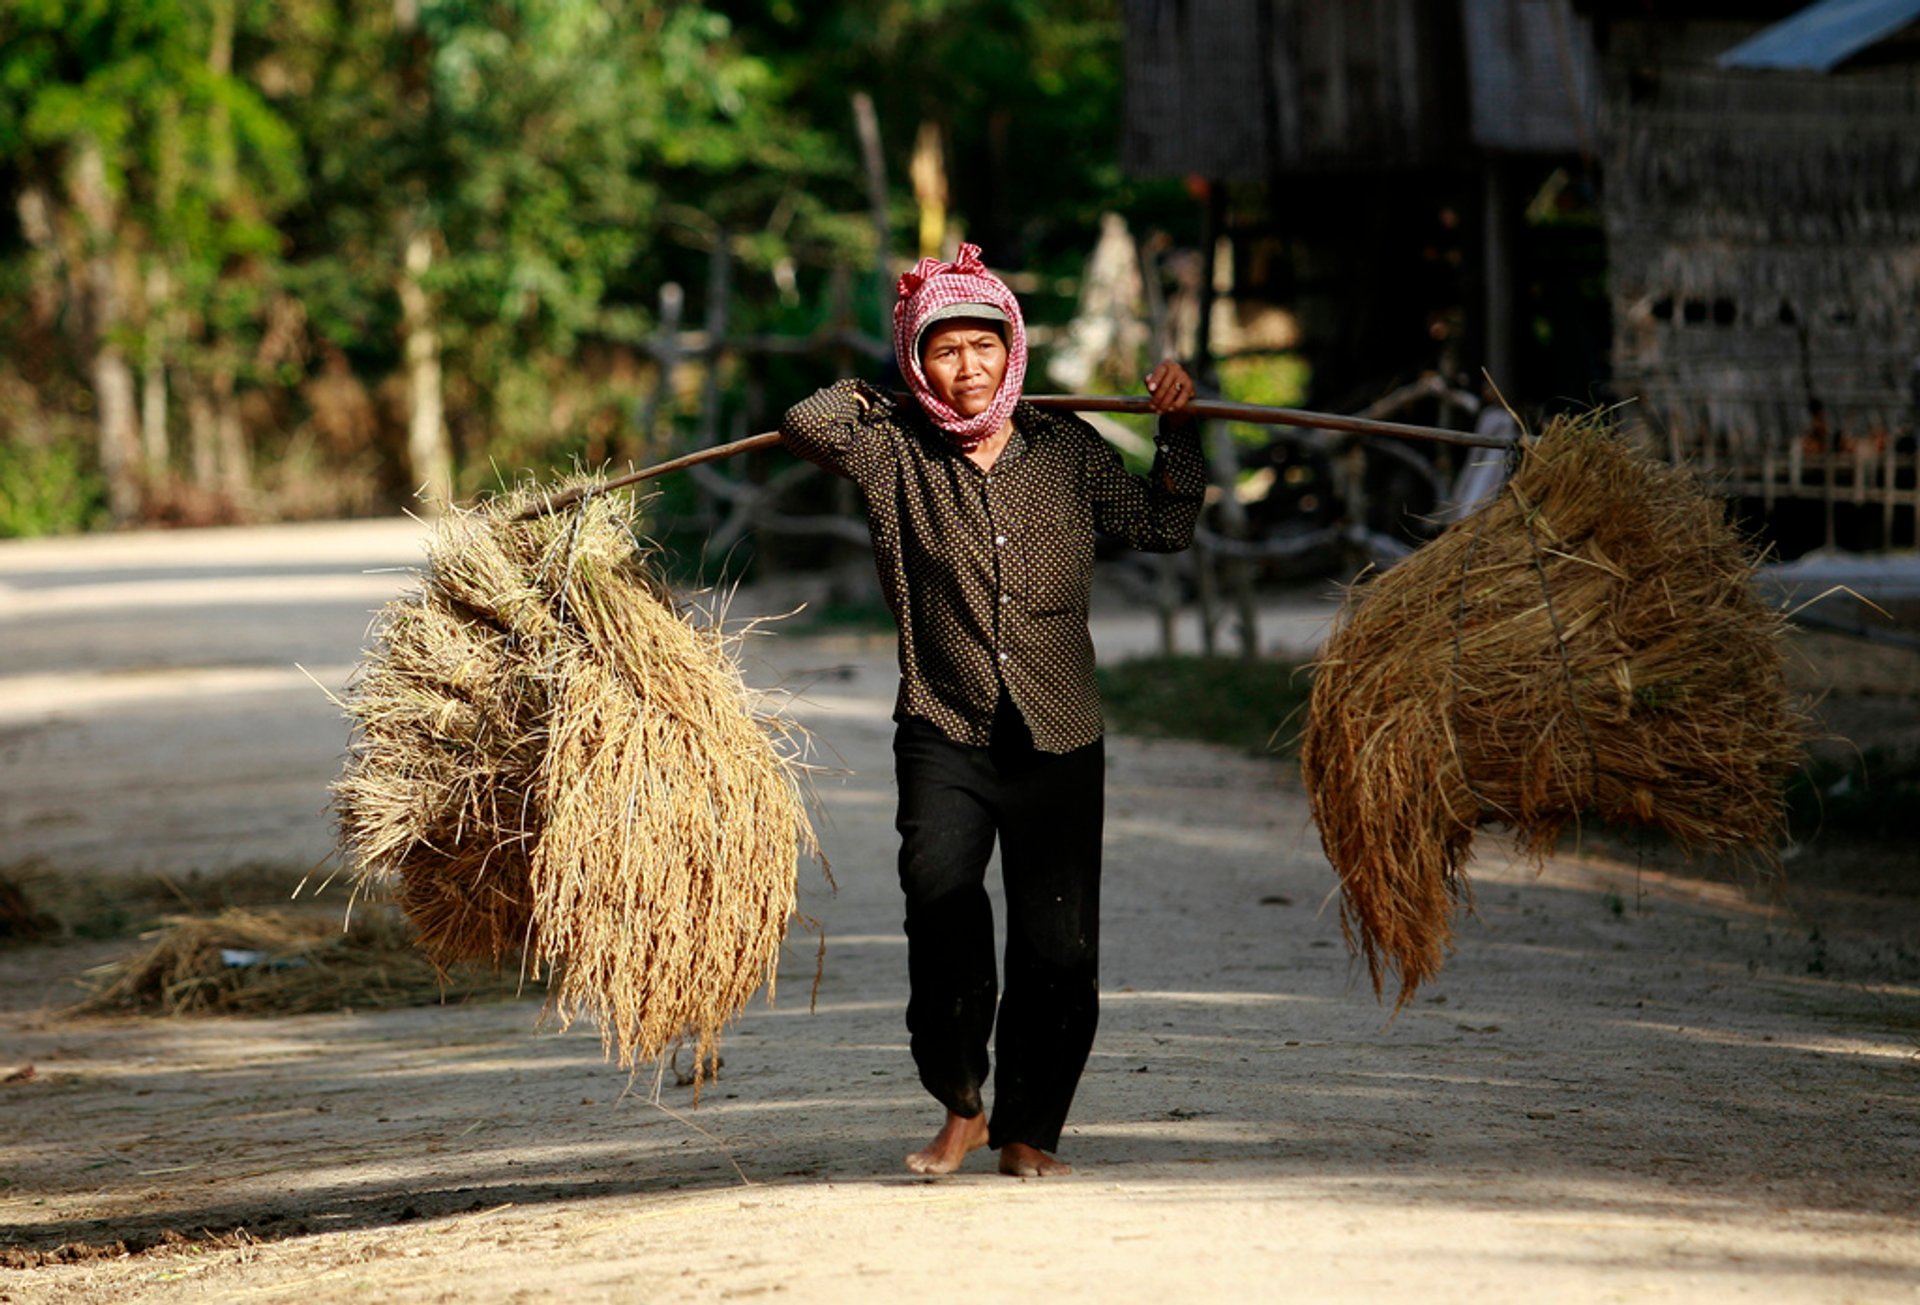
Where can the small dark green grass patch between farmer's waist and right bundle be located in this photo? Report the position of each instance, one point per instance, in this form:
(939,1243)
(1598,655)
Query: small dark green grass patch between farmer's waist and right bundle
(1259,707)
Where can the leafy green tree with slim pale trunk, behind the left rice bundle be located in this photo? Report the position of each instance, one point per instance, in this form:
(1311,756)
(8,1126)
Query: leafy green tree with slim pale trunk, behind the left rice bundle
(506,185)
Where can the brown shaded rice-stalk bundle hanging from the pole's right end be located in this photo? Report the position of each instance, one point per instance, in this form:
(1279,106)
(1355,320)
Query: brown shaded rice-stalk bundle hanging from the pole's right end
(1587,644)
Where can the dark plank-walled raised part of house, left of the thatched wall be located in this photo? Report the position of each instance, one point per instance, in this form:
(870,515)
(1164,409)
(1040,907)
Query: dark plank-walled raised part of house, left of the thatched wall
(1387,149)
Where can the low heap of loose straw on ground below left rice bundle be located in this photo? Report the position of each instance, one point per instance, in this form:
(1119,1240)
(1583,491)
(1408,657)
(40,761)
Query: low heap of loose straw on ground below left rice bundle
(270,964)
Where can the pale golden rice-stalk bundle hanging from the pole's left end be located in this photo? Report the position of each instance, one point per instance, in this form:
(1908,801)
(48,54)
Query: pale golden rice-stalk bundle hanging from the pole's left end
(556,761)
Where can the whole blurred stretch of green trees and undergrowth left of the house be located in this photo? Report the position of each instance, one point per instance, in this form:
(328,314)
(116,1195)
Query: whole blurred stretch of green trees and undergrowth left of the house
(274,260)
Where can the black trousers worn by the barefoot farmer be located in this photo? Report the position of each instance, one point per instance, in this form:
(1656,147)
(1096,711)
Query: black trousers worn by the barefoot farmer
(1045,809)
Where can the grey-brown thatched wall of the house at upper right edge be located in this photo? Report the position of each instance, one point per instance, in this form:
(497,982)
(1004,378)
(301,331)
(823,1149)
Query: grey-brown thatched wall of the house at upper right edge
(1765,256)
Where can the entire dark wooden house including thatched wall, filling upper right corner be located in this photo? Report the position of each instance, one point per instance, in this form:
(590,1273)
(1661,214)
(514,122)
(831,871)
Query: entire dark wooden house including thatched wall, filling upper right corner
(1758,191)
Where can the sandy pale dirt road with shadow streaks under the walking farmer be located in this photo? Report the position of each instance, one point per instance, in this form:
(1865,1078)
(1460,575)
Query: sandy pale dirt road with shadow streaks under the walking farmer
(1631,1083)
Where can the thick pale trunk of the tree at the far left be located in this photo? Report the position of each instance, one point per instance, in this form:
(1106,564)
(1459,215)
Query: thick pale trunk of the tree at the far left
(112,375)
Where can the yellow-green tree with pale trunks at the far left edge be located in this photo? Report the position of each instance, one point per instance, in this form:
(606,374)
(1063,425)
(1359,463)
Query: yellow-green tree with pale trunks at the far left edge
(147,185)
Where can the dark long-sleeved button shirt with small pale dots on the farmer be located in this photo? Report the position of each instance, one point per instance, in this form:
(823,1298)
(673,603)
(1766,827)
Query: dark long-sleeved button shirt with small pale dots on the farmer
(990,573)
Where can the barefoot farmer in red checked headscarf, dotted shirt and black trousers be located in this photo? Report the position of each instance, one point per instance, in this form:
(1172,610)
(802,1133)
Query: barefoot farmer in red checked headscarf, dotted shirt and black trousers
(984,517)
